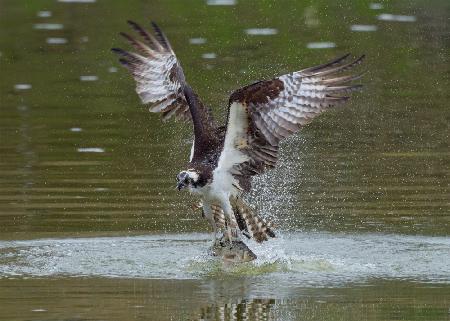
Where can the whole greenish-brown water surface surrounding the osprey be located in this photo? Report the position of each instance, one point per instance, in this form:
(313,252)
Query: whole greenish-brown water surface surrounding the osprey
(380,166)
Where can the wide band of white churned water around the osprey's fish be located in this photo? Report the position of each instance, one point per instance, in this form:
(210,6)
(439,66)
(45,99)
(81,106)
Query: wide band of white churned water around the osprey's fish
(294,258)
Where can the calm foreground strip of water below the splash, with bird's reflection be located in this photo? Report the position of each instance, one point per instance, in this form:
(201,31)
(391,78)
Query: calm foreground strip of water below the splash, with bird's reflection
(218,300)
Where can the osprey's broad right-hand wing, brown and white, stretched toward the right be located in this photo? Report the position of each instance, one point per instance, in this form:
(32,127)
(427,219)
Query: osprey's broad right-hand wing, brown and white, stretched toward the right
(262,114)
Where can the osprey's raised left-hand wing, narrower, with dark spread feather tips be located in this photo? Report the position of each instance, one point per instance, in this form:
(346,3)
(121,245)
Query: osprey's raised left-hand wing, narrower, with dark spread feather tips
(160,82)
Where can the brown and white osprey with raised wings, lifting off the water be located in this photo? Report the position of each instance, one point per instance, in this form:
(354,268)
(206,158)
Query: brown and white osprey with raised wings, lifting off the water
(224,158)
